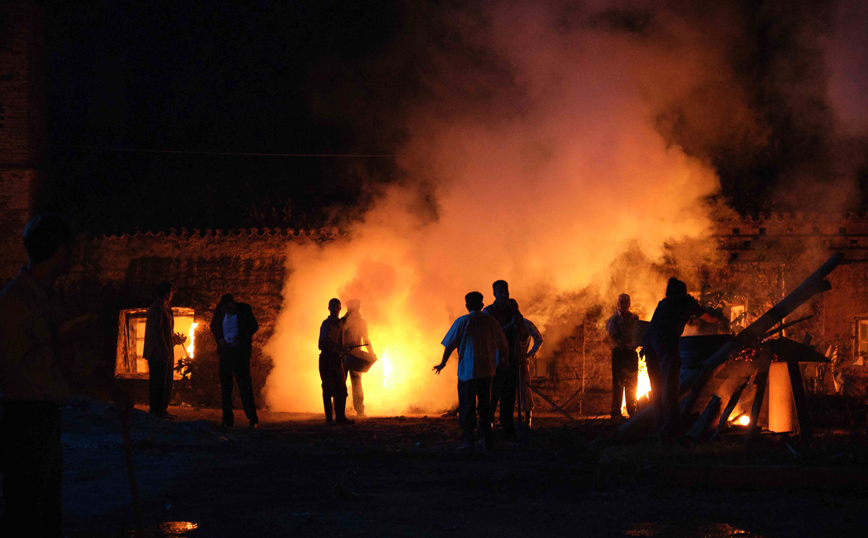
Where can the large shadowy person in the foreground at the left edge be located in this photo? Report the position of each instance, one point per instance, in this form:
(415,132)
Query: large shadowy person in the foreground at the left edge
(35,378)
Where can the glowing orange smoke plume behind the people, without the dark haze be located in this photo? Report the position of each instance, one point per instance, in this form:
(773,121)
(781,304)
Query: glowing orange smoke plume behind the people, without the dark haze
(534,156)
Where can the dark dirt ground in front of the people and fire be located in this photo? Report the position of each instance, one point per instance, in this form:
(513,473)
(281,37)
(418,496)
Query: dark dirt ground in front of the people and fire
(403,476)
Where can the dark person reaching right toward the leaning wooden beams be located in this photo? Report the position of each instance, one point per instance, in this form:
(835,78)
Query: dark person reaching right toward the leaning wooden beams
(663,358)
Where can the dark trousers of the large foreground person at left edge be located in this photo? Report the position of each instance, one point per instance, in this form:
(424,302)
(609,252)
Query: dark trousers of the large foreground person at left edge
(31,454)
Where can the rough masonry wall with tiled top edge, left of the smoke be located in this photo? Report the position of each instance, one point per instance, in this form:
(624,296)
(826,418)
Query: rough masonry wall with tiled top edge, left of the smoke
(120,272)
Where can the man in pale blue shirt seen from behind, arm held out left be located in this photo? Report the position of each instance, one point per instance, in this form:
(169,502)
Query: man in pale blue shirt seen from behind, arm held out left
(479,342)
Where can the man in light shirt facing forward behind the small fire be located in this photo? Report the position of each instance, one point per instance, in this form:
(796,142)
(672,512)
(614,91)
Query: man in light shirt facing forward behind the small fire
(625,360)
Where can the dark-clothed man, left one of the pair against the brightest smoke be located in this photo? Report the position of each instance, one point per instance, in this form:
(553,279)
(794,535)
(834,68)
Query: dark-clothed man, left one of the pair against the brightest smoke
(331,365)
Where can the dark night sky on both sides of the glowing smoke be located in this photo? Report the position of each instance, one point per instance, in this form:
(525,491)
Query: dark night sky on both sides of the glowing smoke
(147,102)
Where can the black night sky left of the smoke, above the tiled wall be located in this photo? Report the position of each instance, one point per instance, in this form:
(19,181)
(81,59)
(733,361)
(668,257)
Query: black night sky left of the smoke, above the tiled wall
(211,77)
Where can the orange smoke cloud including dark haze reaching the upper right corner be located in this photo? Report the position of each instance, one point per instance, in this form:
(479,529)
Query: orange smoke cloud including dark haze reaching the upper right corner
(560,146)
